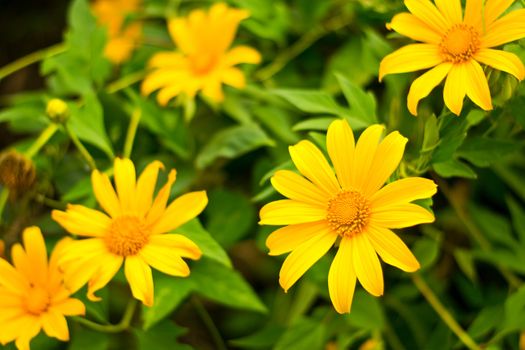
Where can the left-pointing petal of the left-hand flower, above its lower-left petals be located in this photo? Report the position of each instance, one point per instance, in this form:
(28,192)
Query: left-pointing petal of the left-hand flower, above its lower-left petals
(82,221)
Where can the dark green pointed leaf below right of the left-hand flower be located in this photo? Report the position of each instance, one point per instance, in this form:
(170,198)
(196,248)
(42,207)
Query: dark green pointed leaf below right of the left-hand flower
(224,285)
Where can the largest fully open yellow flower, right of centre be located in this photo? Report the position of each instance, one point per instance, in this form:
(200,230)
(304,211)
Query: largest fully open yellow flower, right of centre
(350,207)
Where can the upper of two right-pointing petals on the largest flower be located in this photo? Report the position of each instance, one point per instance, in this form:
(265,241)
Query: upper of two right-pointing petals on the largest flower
(403,191)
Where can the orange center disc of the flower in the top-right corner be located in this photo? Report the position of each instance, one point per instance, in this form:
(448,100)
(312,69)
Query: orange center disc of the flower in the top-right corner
(459,43)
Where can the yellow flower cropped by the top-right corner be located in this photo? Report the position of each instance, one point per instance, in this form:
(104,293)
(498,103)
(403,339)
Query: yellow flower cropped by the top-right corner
(453,45)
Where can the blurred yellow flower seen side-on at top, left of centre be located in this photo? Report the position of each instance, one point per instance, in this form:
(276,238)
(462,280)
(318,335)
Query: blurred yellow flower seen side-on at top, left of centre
(205,60)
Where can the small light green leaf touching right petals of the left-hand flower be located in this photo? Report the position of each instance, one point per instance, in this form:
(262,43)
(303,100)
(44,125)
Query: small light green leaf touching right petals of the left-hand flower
(209,246)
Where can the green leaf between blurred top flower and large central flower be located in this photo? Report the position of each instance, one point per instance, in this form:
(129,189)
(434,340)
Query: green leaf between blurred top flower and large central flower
(232,142)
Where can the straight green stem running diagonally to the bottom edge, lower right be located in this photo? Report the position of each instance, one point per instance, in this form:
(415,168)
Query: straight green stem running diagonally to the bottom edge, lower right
(442,311)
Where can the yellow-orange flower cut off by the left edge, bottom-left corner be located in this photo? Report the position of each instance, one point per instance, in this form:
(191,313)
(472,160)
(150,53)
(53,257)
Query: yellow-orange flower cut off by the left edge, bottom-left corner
(32,294)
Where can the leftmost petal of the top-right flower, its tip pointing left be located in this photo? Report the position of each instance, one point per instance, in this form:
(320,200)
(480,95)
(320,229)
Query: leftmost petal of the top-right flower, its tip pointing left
(410,58)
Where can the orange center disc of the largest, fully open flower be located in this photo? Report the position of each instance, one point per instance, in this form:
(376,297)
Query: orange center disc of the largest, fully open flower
(348,213)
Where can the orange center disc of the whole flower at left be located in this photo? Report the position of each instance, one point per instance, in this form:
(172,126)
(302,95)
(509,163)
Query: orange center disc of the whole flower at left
(127,235)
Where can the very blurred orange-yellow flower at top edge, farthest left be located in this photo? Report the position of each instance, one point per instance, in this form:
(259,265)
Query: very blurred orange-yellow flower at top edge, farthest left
(122,36)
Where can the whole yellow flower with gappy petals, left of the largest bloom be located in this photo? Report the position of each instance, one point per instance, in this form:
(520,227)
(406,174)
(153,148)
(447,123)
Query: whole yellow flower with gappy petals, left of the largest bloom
(133,231)
